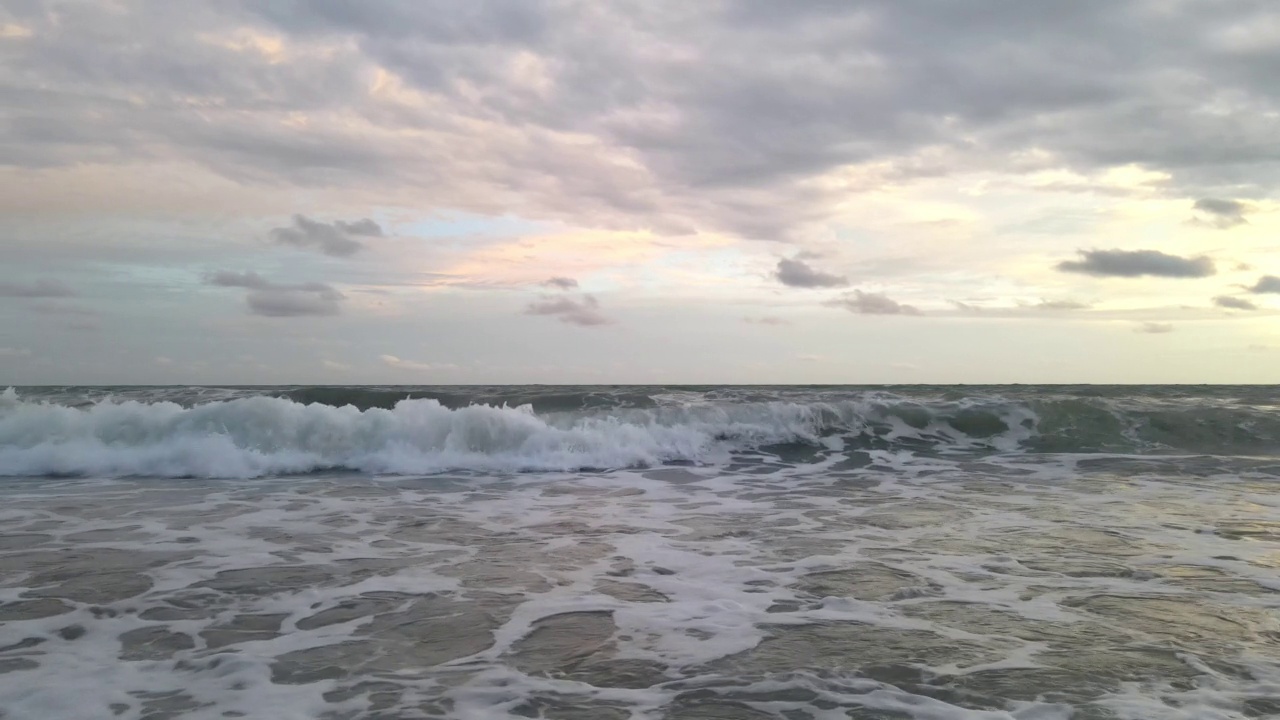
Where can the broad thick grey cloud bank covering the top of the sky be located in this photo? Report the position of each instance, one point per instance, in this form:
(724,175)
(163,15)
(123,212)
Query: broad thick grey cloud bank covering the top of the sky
(665,116)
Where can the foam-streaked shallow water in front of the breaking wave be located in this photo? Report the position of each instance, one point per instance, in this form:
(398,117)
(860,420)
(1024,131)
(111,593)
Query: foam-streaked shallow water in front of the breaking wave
(785,582)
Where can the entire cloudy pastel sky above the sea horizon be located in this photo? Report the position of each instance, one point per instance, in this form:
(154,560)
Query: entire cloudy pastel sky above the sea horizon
(732,192)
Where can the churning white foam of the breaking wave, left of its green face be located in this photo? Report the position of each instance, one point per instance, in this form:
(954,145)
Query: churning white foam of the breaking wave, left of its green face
(264,436)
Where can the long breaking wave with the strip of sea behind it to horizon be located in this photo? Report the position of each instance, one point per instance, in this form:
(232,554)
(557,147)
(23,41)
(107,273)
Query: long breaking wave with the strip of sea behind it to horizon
(257,432)
